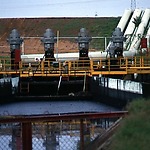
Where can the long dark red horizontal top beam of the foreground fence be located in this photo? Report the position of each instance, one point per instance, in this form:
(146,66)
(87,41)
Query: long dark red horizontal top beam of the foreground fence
(58,117)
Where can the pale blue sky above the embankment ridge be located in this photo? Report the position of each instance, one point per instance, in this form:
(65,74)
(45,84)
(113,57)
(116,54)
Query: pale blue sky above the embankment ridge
(68,8)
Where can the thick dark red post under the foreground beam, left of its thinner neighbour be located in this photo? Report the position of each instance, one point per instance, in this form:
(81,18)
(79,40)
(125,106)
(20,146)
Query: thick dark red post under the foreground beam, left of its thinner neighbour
(27,136)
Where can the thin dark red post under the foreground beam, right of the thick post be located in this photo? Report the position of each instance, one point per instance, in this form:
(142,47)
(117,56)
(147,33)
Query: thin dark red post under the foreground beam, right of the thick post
(81,135)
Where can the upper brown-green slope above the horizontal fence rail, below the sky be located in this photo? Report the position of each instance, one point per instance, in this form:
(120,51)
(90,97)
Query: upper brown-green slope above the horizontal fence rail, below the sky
(97,26)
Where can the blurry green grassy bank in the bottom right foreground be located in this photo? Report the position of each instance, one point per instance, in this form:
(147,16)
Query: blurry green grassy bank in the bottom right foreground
(134,131)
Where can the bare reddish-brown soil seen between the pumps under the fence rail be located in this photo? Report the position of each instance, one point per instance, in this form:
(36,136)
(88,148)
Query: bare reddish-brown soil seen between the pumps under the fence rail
(35,46)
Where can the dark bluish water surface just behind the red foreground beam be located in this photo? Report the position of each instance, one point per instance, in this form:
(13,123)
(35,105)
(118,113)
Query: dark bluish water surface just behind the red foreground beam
(53,107)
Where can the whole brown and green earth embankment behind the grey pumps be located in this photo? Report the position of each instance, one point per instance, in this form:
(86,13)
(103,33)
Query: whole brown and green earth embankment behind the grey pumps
(67,27)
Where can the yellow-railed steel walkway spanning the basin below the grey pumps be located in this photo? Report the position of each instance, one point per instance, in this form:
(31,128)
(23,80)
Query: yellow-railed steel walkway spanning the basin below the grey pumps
(77,68)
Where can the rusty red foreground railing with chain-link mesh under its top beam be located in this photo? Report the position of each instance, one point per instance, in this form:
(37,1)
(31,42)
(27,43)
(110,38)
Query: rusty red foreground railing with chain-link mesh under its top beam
(54,132)
